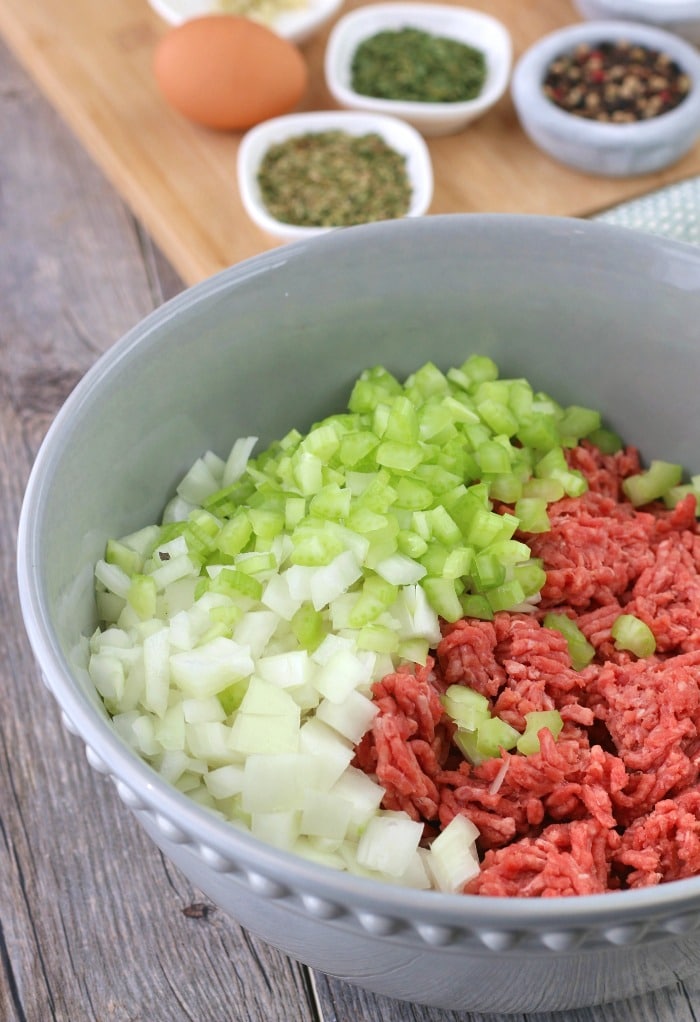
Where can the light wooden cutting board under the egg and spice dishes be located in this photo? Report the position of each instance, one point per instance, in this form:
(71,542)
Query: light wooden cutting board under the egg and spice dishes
(94,61)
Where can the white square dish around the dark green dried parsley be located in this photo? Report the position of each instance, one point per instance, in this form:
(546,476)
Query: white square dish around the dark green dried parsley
(472,27)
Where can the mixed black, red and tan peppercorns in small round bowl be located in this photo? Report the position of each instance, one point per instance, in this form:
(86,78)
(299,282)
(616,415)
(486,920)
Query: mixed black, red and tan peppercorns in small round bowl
(619,82)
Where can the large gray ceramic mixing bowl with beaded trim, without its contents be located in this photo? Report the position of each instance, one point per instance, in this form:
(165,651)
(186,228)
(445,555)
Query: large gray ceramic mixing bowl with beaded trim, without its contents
(591,313)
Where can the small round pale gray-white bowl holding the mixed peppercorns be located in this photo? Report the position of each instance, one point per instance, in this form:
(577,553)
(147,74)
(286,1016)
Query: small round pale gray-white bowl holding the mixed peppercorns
(606,150)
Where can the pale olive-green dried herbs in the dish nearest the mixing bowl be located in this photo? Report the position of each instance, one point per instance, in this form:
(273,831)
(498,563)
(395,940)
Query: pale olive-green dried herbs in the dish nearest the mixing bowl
(333,179)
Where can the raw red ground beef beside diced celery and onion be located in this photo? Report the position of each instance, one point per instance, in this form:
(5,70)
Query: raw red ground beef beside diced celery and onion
(615,803)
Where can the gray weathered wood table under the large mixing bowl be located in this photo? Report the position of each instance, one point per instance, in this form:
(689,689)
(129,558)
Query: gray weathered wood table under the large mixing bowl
(95,923)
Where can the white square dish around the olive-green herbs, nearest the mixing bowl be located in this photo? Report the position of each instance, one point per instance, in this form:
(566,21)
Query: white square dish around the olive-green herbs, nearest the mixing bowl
(396,133)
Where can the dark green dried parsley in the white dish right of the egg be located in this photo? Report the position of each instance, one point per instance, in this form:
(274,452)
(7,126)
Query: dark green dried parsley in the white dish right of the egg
(416,66)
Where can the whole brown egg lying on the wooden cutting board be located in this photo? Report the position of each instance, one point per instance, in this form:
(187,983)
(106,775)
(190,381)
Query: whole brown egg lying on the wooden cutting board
(229,73)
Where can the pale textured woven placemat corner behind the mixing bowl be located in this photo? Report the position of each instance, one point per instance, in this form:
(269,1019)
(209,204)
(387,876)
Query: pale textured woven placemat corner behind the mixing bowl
(673,212)
